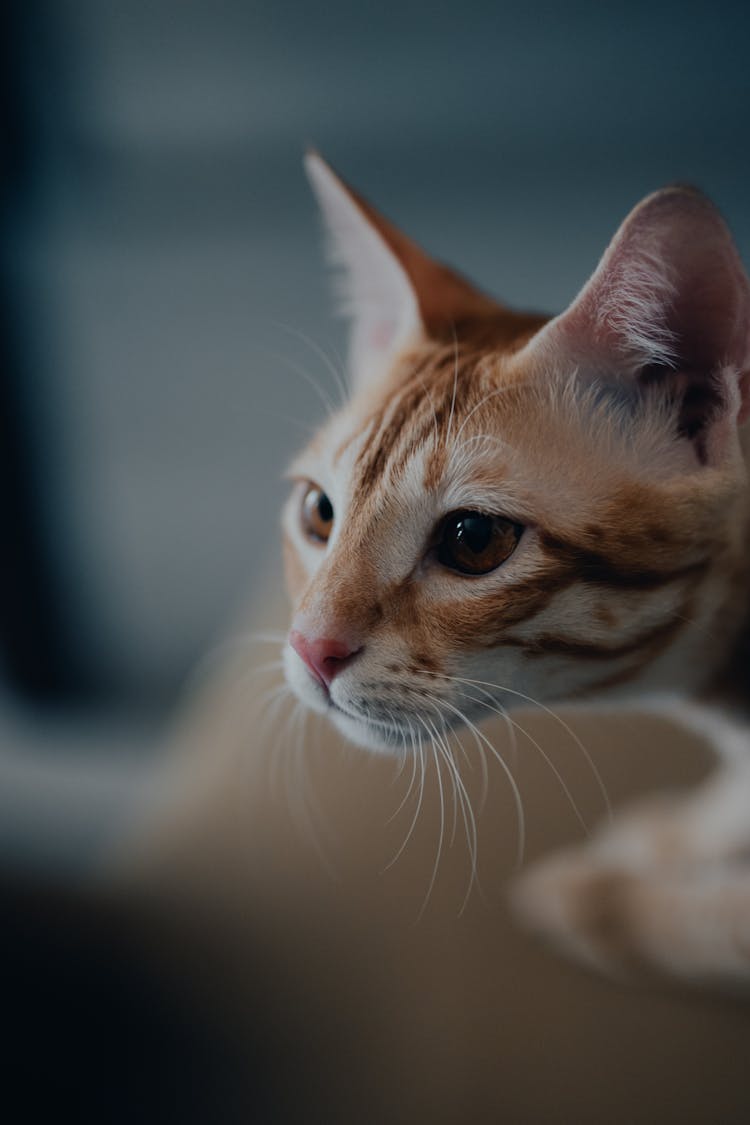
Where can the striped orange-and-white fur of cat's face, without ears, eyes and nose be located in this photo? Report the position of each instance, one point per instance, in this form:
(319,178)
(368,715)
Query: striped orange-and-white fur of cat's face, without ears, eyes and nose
(627,562)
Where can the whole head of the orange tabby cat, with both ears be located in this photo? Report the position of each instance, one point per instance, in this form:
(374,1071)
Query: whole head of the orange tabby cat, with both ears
(516,508)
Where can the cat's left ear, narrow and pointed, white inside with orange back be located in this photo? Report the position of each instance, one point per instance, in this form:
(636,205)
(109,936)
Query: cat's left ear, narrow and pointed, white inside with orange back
(394,293)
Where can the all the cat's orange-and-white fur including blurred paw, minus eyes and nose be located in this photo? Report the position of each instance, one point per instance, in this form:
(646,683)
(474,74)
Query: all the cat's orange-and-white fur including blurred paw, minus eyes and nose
(613,435)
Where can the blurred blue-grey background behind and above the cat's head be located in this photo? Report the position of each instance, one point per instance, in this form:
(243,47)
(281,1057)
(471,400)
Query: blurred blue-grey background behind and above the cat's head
(165,304)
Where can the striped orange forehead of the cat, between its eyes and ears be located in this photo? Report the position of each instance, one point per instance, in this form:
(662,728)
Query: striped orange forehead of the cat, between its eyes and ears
(476,430)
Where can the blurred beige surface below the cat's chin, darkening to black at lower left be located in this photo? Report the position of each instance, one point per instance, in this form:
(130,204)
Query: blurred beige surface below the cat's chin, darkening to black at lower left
(255,955)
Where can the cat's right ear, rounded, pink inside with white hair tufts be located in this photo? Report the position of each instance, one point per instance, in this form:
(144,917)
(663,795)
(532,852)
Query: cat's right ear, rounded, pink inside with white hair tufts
(670,304)
